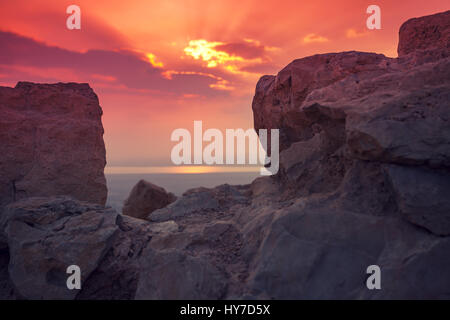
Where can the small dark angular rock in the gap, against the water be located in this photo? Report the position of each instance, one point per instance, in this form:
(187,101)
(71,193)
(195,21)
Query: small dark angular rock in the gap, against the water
(145,198)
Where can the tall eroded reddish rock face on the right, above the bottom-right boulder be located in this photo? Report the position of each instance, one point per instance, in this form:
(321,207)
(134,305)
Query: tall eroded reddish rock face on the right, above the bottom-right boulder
(350,115)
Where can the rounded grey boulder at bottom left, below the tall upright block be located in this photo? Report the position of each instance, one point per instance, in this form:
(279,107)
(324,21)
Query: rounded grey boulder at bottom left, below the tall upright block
(45,236)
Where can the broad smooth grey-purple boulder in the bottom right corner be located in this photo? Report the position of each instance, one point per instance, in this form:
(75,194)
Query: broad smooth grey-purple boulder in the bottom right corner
(323,253)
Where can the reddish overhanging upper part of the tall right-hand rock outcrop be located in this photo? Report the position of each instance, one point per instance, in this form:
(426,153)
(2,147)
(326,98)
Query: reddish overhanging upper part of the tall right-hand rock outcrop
(388,109)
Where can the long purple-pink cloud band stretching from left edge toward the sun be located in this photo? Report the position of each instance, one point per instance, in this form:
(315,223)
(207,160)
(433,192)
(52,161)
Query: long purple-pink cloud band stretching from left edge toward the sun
(120,68)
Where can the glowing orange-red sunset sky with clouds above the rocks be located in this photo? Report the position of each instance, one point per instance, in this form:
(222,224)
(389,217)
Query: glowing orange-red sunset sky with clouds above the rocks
(159,65)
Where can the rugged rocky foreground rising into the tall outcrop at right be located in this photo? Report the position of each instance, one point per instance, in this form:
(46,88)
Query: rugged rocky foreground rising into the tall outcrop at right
(364,179)
